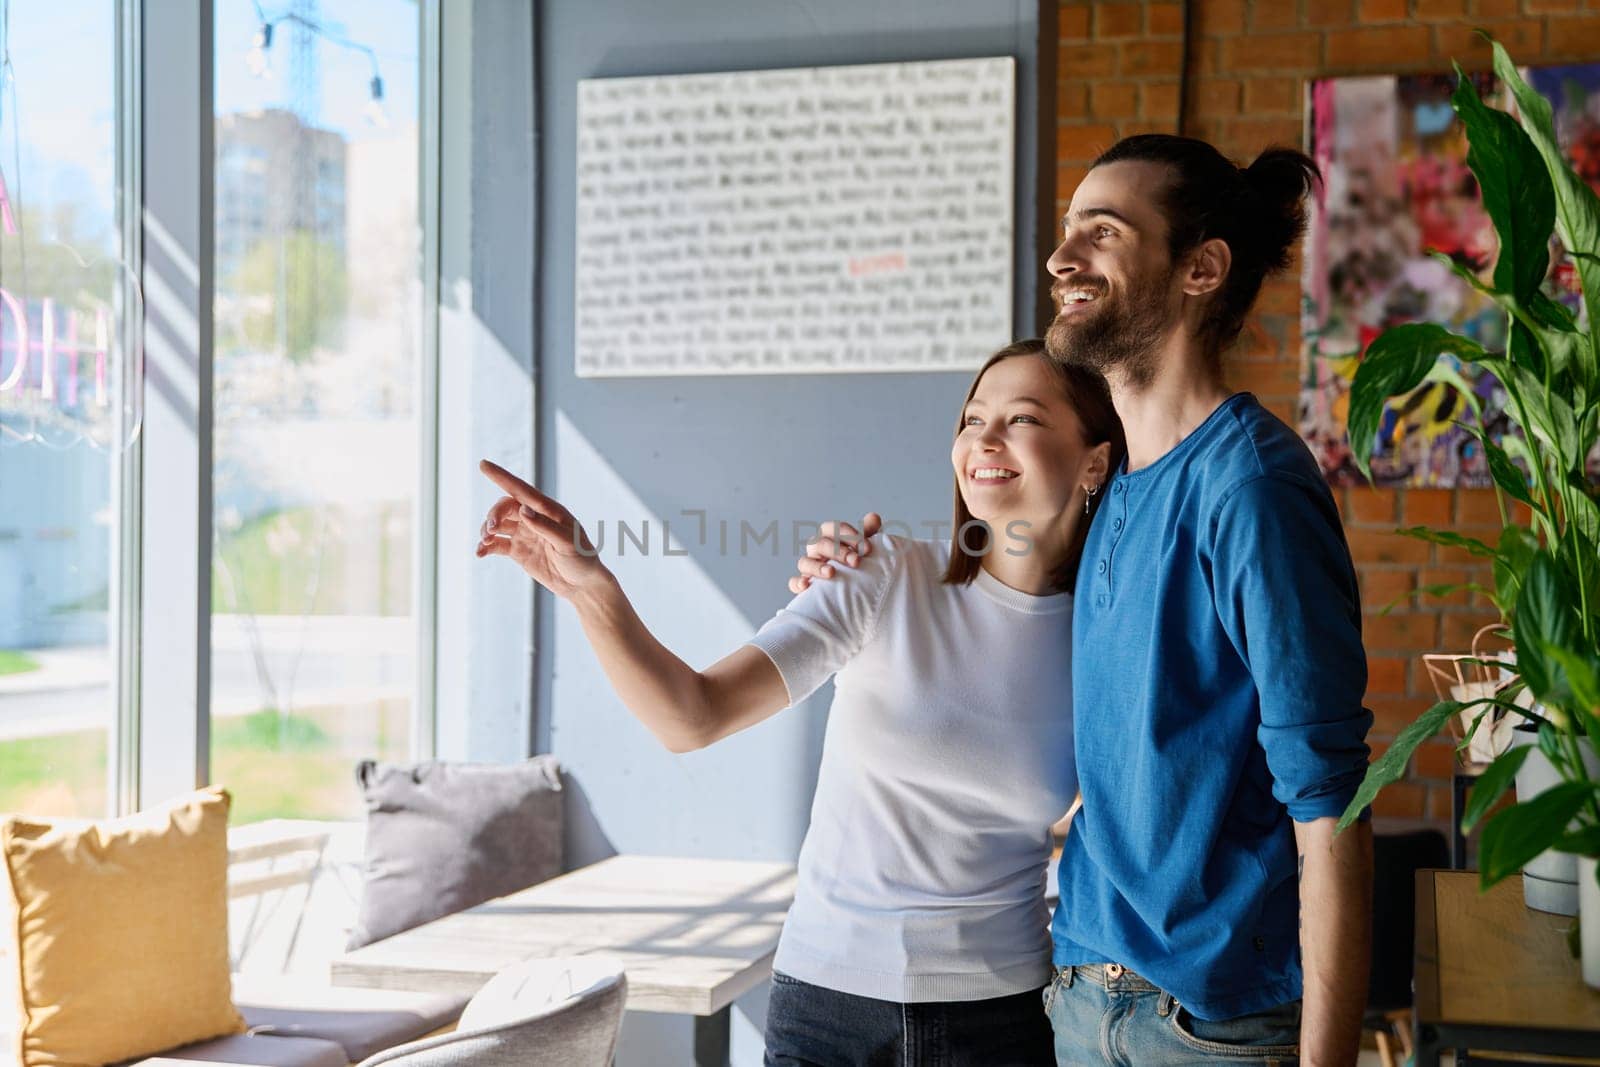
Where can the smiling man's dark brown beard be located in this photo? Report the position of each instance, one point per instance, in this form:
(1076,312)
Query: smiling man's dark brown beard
(1126,335)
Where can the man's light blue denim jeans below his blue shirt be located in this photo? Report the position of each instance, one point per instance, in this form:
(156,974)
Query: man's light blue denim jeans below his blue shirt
(1108,1015)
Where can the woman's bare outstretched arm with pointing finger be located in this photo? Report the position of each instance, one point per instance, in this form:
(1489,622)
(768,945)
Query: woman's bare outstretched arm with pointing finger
(686,709)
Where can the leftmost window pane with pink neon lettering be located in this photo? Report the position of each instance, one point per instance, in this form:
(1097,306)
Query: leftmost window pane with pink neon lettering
(65,375)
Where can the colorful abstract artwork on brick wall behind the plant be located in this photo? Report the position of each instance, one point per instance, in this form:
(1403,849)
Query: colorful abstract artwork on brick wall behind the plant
(1396,188)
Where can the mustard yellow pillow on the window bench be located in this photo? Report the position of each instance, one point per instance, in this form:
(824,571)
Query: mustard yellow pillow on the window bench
(122,932)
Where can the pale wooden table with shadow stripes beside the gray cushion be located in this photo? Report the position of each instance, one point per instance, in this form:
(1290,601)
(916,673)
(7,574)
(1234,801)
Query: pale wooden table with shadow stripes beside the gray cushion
(692,933)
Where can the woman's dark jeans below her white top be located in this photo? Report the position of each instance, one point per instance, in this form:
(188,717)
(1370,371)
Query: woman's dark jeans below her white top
(809,1026)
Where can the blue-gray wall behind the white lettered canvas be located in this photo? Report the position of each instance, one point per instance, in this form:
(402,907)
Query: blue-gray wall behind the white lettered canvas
(740,449)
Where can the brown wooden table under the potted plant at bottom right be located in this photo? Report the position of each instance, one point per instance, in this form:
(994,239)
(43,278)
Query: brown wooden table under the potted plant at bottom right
(1495,977)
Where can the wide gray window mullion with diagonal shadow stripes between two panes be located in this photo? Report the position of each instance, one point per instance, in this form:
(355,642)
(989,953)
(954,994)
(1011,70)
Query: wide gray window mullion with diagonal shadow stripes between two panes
(175,529)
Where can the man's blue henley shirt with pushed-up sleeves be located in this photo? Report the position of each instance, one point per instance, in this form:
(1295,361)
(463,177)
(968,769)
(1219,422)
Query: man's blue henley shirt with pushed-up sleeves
(1218,681)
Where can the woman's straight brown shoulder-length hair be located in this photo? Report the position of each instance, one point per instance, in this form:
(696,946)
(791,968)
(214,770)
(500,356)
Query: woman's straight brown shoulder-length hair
(1090,399)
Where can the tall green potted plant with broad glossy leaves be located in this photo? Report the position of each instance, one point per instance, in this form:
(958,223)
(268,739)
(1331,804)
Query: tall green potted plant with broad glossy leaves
(1546,572)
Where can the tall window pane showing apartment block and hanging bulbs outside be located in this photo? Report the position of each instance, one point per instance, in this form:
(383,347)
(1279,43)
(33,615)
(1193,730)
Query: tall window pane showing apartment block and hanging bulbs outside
(318,342)
